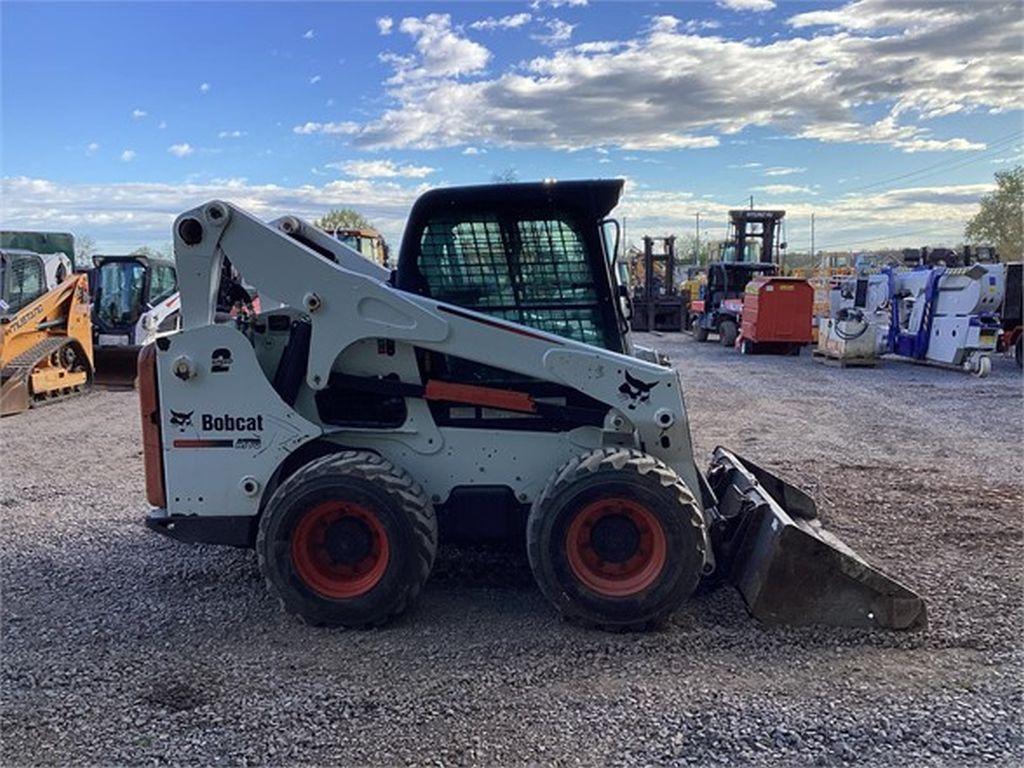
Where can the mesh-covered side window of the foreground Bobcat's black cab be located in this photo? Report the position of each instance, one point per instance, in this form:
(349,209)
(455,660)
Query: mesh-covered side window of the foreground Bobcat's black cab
(531,272)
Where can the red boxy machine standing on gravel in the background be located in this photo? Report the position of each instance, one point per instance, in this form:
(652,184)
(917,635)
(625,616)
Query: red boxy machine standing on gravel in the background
(777,316)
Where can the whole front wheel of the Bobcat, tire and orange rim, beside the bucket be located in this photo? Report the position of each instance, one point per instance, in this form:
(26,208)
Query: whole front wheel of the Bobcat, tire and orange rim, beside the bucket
(617,540)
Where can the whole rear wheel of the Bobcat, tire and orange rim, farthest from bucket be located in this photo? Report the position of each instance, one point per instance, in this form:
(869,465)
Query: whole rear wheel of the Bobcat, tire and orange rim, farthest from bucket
(348,541)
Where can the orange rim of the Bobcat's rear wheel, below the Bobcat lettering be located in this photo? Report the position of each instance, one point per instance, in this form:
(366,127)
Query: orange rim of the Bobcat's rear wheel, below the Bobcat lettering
(340,550)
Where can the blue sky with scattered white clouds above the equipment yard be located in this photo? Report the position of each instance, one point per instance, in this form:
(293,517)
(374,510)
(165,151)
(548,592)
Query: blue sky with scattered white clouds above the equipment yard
(886,120)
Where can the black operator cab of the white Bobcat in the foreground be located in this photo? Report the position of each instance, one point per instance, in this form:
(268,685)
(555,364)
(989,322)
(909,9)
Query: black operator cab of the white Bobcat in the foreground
(537,254)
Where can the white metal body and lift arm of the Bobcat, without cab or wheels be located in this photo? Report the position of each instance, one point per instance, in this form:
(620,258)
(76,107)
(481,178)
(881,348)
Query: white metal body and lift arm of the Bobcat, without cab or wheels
(630,402)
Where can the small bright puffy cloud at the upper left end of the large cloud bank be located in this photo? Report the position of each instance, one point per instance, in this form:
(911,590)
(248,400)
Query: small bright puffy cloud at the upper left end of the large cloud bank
(443,52)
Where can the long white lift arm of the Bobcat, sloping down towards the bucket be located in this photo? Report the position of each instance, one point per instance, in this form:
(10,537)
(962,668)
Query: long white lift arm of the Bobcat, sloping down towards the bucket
(348,307)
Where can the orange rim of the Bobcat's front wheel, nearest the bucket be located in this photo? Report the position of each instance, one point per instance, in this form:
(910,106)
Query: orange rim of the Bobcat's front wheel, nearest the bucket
(616,547)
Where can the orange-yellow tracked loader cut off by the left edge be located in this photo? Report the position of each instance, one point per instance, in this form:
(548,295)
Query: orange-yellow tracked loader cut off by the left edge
(46,333)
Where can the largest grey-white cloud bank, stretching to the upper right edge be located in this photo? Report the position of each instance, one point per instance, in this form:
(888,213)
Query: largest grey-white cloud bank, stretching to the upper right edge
(816,87)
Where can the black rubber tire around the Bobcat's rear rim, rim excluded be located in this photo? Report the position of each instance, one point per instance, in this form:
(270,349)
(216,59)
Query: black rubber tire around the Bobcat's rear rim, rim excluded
(400,505)
